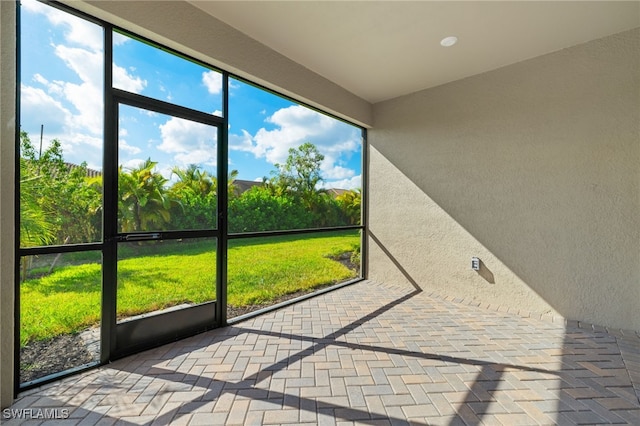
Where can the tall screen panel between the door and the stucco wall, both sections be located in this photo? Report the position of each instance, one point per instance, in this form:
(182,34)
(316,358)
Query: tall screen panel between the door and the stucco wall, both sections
(295,169)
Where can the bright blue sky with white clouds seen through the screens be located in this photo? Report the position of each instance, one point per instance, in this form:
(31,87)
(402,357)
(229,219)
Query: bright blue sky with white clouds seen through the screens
(61,88)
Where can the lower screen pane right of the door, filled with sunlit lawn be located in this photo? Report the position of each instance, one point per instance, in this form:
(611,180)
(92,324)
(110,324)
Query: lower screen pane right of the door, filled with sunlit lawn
(288,266)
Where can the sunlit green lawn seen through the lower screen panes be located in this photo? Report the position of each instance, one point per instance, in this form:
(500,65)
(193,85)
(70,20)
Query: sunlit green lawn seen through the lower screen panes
(157,276)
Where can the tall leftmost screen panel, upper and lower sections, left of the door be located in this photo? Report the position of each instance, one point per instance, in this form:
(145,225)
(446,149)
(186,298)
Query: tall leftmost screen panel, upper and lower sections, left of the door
(61,191)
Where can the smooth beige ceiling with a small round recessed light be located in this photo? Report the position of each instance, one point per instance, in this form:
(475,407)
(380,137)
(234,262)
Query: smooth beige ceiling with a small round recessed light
(379,50)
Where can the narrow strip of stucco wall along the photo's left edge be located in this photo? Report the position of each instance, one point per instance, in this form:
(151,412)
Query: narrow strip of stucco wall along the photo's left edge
(7,170)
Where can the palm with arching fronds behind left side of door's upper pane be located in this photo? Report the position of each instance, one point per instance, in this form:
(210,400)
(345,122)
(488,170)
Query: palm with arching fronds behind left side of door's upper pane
(145,203)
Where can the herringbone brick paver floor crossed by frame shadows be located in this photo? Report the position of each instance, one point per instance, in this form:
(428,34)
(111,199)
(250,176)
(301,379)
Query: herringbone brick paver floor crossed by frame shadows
(366,354)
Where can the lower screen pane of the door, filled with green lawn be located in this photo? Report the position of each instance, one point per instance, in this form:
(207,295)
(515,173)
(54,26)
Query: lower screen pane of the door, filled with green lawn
(155,276)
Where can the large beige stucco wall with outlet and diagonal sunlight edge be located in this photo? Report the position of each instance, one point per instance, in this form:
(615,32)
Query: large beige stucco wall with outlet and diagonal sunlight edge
(534,168)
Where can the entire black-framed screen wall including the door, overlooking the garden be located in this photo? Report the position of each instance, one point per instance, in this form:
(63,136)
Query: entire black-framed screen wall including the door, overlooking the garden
(160,196)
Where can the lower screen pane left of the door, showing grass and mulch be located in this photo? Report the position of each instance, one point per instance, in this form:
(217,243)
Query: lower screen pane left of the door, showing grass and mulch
(60,302)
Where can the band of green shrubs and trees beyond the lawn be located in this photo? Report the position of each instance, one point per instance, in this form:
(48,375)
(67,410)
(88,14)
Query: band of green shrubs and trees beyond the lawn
(62,203)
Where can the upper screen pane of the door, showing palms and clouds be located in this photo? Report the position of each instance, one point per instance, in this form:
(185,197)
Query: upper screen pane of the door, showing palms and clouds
(167,178)
